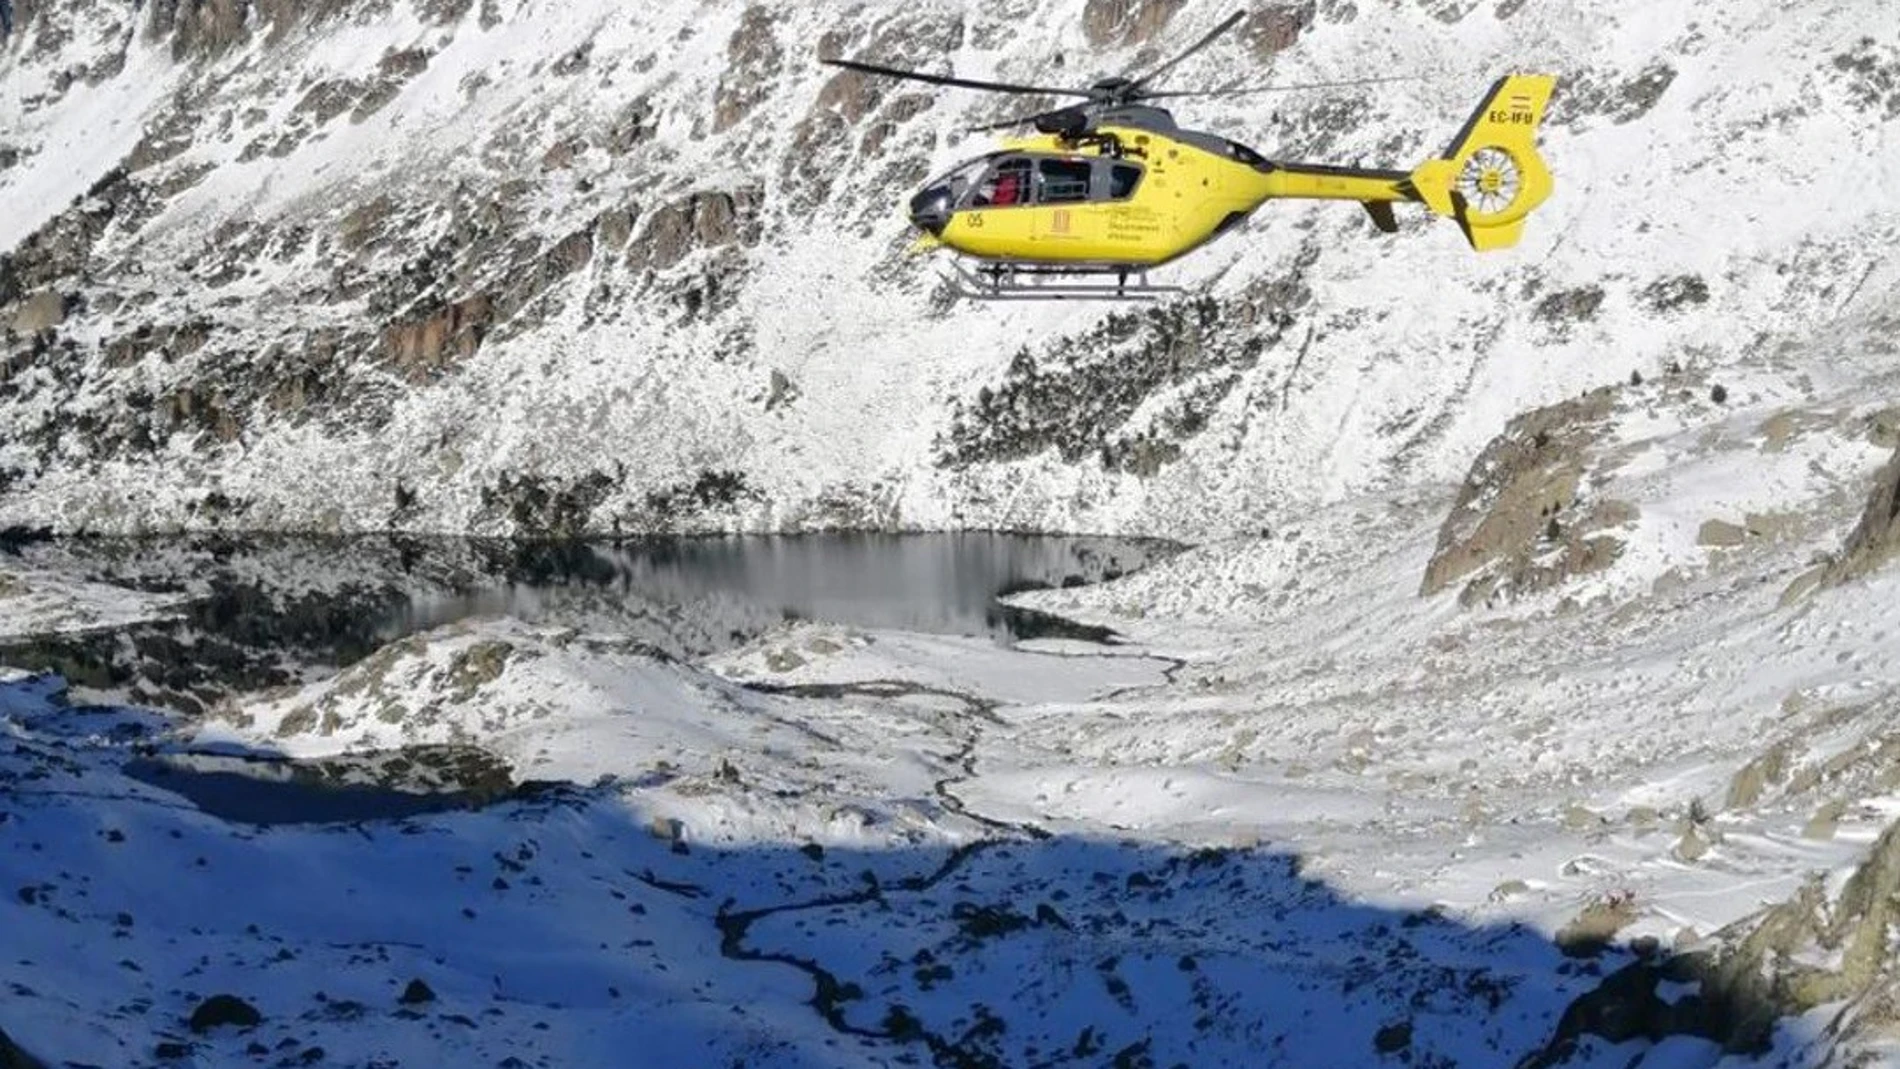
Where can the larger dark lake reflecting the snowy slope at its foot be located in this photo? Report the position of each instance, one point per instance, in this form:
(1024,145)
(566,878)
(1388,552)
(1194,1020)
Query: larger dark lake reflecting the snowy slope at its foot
(276,610)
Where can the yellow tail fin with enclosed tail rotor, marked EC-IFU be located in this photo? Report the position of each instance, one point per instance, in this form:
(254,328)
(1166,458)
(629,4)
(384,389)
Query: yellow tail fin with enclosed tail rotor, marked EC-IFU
(1491,178)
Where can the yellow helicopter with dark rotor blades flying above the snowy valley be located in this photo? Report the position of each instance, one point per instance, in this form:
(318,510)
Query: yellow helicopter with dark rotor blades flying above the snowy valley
(1112,187)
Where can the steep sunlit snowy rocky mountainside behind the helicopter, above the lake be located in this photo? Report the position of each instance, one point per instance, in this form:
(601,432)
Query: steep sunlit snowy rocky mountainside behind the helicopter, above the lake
(584,267)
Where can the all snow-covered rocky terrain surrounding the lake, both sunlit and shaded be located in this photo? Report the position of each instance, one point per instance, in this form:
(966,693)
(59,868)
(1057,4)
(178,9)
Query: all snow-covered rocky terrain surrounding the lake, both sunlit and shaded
(1510,711)
